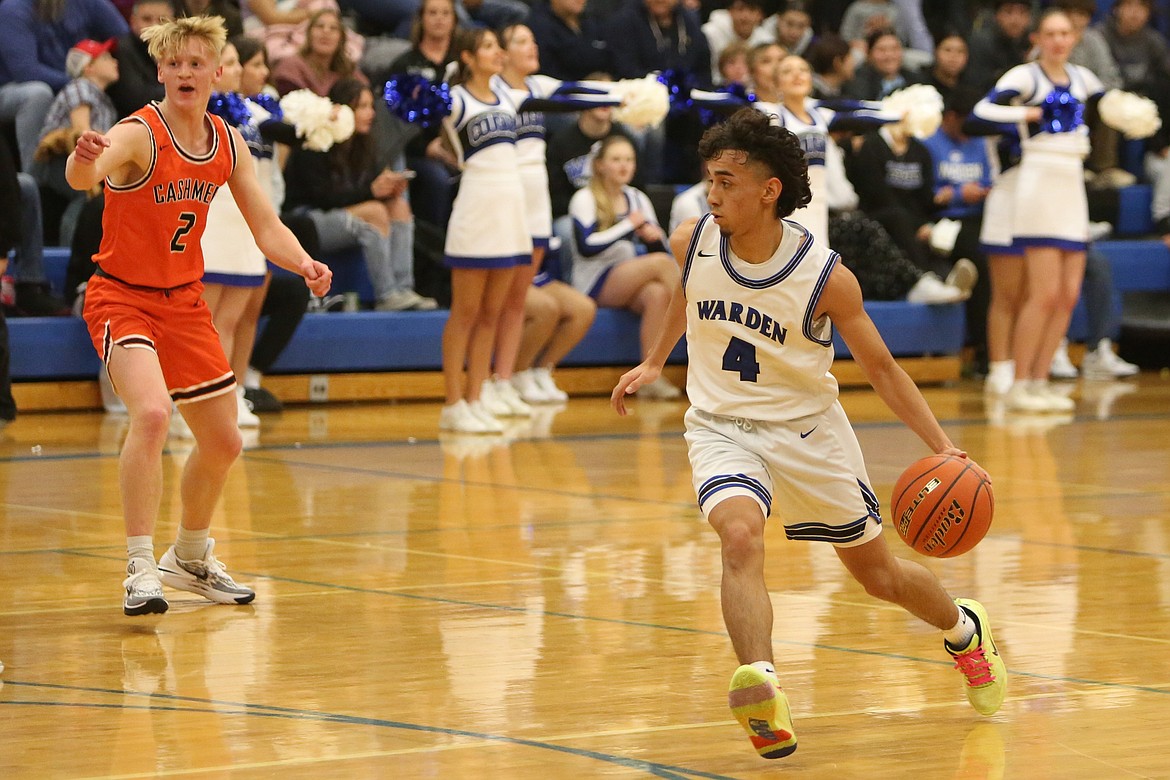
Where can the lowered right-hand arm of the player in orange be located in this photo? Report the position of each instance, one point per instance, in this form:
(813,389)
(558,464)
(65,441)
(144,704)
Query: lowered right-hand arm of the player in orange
(273,238)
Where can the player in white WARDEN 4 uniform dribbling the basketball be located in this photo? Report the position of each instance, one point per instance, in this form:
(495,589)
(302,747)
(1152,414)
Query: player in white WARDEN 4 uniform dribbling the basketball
(759,301)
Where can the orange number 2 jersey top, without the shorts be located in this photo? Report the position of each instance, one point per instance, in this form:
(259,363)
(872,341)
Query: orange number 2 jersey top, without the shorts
(152,229)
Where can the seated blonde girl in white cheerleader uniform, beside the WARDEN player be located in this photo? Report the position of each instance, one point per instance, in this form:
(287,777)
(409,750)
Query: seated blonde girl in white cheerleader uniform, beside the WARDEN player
(621,258)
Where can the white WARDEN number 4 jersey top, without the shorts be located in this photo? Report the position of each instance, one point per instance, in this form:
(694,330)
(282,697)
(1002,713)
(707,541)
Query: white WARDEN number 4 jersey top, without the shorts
(755,348)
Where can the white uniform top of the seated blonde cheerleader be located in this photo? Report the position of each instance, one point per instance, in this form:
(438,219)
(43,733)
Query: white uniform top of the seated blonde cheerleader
(597,252)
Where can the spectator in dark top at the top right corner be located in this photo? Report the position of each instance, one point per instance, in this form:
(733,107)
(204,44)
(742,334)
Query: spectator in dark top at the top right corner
(1144,58)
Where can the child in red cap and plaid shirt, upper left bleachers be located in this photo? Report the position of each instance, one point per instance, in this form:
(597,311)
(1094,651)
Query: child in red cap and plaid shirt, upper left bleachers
(81,106)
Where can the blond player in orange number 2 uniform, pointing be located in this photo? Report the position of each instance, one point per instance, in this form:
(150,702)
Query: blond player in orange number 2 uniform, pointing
(162,167)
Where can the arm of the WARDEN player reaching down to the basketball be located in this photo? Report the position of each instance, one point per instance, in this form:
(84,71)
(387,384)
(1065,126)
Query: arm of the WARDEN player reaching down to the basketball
(842,302)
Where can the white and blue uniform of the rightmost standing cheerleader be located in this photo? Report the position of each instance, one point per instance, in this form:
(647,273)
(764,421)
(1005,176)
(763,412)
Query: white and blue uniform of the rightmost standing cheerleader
(1050,206)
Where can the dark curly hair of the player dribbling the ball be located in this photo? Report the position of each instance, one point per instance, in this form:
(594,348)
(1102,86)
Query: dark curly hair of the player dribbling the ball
(753,134)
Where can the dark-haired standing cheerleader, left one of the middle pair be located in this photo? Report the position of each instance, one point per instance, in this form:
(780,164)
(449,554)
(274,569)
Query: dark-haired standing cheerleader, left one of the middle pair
(488,234)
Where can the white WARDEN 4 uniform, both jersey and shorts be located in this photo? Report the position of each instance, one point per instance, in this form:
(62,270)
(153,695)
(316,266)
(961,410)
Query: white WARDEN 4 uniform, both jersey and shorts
(766,419)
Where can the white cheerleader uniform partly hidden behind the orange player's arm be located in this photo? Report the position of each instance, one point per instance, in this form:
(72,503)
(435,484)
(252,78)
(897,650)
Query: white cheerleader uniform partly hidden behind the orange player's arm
(231,256)
